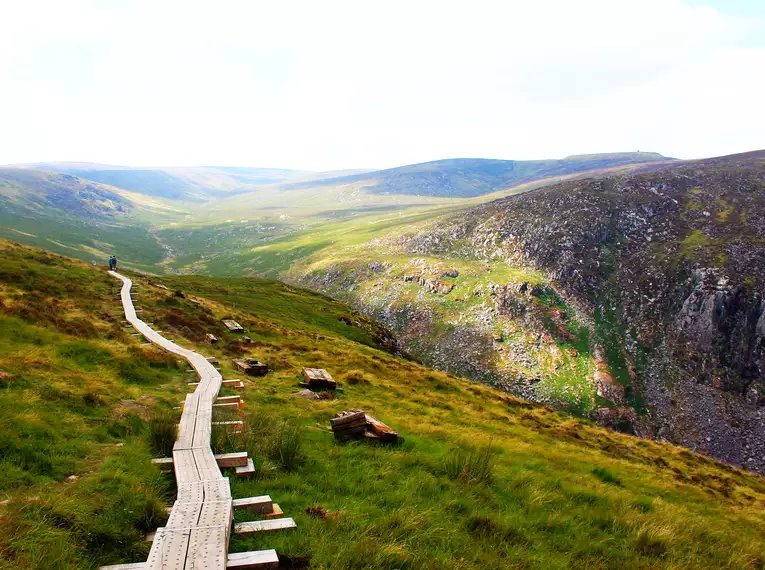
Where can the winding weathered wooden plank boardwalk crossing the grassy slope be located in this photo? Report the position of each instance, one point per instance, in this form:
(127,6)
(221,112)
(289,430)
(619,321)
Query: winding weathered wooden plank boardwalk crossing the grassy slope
(197,532)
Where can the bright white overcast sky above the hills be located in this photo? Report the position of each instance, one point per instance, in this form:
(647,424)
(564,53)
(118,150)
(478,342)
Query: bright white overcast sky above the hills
(333,85)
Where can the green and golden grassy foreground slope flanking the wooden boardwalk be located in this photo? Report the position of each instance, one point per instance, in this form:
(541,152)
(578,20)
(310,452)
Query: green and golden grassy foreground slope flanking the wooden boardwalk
(563,494)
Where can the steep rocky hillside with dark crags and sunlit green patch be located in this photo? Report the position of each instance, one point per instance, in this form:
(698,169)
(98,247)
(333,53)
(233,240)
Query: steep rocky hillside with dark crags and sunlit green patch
(634,299)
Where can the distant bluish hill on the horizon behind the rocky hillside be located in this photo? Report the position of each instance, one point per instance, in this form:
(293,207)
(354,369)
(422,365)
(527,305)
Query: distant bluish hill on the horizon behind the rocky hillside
(467,177)
